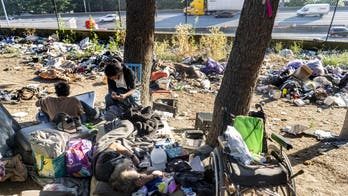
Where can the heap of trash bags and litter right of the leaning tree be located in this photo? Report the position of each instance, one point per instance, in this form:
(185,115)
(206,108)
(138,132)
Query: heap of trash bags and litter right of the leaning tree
(306,81)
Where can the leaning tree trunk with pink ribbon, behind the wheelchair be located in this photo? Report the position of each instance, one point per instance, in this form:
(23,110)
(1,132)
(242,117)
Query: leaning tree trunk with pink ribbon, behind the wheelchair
(252,38)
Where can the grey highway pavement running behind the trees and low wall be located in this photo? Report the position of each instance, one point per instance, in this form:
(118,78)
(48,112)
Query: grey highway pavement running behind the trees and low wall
(284,19)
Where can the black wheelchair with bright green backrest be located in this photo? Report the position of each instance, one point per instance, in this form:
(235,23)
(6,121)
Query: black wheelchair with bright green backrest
(274,177)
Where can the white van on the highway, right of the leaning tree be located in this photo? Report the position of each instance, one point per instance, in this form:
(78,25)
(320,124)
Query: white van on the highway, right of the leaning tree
(314,9)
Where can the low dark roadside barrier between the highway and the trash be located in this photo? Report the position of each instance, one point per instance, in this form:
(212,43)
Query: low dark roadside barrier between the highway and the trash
(160,36)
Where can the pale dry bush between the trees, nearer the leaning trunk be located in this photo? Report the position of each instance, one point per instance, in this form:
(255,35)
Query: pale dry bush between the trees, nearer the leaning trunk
(214,45)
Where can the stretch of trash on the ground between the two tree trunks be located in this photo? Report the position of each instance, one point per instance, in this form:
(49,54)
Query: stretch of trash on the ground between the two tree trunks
(192,75)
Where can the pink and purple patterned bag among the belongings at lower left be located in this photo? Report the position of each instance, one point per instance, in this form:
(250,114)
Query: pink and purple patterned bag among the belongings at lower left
(78,158)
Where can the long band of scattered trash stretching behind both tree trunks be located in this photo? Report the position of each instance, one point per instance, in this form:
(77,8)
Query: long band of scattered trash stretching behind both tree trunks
(301,81)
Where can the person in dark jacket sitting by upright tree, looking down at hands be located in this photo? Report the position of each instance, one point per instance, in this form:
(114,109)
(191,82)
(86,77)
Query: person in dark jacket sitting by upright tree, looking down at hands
(122,91)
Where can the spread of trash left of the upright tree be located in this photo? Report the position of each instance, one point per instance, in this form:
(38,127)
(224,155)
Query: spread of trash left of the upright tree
(58,60)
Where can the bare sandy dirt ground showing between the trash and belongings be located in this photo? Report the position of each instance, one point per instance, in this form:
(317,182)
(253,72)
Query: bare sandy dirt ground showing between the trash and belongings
(325,166)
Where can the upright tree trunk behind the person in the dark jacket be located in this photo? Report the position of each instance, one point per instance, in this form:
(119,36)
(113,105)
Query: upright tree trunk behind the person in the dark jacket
(140,40)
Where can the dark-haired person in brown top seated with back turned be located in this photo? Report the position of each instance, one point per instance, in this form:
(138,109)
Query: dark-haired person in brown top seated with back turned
(51,106)
